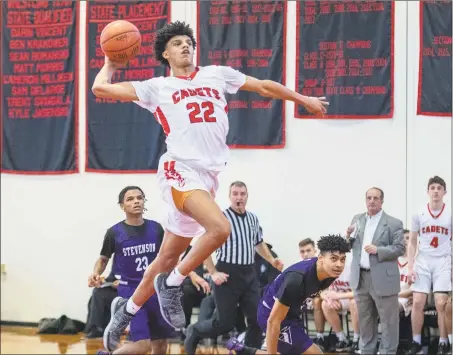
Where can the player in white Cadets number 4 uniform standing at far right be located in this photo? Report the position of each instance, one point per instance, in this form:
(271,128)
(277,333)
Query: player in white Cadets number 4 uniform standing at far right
(432,265)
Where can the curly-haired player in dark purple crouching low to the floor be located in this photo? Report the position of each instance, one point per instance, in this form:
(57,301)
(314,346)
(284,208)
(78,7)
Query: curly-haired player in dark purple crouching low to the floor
(279,311)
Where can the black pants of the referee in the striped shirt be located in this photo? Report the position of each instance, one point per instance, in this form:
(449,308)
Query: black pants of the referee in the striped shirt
(241,288)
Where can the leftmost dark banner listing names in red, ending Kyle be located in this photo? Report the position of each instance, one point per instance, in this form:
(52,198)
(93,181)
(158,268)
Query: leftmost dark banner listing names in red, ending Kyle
(39,86)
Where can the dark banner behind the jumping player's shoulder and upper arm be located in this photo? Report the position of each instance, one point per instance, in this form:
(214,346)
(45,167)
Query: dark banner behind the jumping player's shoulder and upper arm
(248,36)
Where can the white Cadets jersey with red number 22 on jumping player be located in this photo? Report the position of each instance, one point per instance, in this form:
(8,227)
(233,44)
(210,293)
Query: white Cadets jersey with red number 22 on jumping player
(193,113)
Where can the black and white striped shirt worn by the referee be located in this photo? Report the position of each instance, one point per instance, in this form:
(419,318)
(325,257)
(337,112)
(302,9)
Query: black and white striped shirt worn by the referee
(246,232)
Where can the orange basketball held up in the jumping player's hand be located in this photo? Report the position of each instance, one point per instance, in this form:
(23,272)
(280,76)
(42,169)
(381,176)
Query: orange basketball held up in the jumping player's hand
(120,40)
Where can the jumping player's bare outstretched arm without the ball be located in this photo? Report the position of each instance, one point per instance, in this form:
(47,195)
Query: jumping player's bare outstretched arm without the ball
(274,90)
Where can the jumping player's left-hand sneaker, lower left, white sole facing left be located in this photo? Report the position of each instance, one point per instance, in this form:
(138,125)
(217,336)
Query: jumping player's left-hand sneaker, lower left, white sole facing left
(119,320)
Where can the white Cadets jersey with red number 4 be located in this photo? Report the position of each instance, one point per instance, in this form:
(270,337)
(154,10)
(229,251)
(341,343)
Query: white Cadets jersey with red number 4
(434,231)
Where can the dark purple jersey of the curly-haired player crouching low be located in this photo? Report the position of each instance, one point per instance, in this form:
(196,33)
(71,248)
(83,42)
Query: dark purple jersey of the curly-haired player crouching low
(294,286)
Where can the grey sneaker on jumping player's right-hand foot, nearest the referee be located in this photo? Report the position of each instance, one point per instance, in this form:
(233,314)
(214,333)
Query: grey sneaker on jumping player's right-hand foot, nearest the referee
(170,302)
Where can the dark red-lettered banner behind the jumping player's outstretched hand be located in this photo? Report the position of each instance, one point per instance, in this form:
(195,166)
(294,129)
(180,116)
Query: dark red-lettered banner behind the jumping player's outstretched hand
(345,53)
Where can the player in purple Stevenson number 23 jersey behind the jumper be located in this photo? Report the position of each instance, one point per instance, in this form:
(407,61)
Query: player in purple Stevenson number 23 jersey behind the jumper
(135,243)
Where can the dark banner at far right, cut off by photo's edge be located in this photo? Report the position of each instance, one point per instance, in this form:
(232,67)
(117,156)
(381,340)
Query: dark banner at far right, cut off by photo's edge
(434,87)
